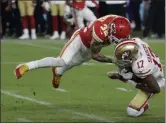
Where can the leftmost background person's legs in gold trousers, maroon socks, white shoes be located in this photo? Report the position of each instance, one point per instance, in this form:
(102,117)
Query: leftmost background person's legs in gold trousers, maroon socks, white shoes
(26,8)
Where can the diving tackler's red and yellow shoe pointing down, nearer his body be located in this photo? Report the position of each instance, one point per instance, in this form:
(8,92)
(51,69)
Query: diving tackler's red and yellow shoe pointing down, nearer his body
(56,78)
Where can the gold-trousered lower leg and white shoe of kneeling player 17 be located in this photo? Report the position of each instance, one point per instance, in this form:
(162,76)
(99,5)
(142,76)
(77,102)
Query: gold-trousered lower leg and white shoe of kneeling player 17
(139,104)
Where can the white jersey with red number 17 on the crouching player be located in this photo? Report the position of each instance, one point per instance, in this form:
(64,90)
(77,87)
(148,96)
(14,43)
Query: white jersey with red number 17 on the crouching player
(147,62)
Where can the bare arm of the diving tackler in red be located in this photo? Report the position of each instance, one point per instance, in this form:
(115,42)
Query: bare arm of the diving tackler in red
(95,53)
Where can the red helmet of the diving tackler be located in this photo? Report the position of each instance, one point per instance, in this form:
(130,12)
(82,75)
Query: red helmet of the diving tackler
(119,29)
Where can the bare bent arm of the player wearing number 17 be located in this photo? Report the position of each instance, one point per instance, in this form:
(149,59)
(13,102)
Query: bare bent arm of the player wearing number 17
(149,84)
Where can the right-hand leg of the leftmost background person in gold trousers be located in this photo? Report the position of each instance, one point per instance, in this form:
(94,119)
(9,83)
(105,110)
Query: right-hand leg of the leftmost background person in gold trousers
(30,13)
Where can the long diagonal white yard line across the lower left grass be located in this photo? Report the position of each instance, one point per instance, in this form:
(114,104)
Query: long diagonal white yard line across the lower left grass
(90,116)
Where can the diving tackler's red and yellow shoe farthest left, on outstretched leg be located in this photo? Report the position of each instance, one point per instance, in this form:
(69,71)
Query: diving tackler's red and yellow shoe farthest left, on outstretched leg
(20,70)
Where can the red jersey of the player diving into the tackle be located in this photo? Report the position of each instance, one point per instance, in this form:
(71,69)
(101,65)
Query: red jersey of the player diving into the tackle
(98,30)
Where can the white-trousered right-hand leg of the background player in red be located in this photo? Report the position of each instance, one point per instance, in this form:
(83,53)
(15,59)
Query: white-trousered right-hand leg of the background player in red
(88,15)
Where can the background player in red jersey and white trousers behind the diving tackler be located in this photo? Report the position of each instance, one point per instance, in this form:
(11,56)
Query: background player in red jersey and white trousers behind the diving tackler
(81,12)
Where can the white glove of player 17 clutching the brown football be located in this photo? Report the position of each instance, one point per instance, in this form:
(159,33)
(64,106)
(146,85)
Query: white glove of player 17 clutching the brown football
(125,74)
